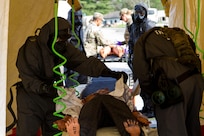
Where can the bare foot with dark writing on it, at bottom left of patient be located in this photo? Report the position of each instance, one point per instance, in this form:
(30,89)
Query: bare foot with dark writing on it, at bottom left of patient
(72,126)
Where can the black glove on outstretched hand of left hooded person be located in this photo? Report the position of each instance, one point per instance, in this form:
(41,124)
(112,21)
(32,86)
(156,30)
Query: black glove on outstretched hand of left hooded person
(114,74)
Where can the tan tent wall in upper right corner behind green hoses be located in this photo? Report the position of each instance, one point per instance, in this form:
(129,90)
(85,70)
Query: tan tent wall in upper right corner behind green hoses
(177,19)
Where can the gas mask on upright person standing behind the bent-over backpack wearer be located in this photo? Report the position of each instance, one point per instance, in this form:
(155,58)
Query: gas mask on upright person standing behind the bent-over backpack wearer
(139,14)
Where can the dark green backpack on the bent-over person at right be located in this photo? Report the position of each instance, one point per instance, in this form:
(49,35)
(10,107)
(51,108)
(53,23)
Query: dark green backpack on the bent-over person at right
(184,45)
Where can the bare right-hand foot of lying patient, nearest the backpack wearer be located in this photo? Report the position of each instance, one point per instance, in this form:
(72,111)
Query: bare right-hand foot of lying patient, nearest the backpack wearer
(131,126)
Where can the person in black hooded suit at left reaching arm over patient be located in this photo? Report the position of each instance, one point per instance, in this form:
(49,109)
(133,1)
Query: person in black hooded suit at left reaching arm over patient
(35,62)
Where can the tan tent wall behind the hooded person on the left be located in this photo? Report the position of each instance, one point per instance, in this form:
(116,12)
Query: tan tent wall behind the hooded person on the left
(24,17)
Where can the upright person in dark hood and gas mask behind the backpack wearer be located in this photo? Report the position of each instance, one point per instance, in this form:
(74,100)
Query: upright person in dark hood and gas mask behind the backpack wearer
(140,25)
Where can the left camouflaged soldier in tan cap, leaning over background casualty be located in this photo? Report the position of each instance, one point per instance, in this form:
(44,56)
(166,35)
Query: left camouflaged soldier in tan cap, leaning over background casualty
(95,42)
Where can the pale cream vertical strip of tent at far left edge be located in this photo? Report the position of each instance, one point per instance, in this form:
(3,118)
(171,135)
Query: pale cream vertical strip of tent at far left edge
(3,61)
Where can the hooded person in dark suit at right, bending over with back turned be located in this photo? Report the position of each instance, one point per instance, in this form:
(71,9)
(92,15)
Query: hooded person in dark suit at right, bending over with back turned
(154,51)
